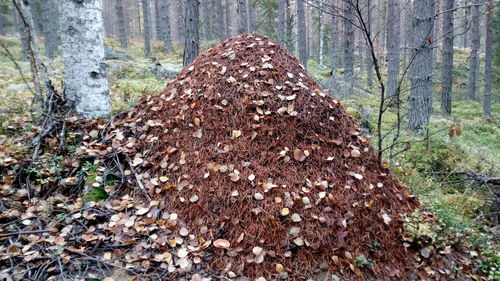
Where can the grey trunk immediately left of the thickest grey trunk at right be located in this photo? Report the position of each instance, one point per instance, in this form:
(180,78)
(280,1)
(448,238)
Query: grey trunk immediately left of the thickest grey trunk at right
(393,31)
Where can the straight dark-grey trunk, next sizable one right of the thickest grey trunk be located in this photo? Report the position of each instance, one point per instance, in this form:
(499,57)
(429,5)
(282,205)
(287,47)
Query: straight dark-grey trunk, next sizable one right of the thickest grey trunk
(447,65)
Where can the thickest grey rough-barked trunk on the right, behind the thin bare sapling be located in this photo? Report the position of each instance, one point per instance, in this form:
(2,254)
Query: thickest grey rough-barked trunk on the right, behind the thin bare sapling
(421,71)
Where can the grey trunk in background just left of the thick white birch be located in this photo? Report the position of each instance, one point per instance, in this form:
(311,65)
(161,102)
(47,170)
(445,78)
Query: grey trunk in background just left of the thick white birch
(50,26)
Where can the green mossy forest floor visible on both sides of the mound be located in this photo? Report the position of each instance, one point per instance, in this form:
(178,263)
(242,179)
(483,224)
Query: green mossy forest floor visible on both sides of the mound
(461,210)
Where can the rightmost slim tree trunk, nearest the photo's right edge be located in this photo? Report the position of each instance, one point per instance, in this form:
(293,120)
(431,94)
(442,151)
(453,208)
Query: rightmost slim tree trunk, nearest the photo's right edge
(488,60)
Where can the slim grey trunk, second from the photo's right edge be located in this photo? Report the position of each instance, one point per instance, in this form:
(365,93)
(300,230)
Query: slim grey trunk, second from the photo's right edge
(474,56)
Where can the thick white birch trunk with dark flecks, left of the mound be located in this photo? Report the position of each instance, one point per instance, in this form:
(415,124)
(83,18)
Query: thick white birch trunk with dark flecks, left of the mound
(85,84)
